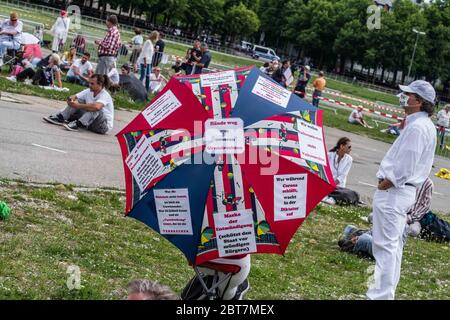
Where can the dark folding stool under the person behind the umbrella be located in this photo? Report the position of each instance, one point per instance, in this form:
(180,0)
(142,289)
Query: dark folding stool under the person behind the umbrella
(206,287)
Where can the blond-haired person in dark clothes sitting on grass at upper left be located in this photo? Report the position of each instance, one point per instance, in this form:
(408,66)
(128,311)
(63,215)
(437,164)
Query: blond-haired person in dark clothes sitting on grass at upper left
(47,76)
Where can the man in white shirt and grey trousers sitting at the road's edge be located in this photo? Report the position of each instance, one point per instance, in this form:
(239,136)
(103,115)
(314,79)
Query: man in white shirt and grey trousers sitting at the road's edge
(92,108)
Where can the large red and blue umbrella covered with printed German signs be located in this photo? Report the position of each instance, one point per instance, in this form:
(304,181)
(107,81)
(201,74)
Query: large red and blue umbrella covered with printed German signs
(233,189)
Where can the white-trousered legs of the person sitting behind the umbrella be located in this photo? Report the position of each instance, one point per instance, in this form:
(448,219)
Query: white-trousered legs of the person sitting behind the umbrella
(230,286)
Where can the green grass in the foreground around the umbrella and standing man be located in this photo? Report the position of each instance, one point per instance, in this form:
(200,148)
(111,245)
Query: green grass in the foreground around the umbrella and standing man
(52,228)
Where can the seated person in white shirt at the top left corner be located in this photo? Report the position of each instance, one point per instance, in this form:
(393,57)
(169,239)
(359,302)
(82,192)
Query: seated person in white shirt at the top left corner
(10,34)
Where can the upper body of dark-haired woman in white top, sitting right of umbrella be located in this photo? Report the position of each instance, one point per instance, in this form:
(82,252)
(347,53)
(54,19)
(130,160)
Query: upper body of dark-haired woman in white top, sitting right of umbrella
(340,161)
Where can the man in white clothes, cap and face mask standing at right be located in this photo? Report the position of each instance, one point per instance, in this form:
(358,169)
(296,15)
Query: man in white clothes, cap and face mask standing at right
(404,168)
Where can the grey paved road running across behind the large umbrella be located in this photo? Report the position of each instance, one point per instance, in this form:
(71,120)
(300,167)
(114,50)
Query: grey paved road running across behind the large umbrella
(32,150)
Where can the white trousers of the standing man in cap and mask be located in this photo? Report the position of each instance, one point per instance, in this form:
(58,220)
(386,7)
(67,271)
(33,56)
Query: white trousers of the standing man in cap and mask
(389,222)
